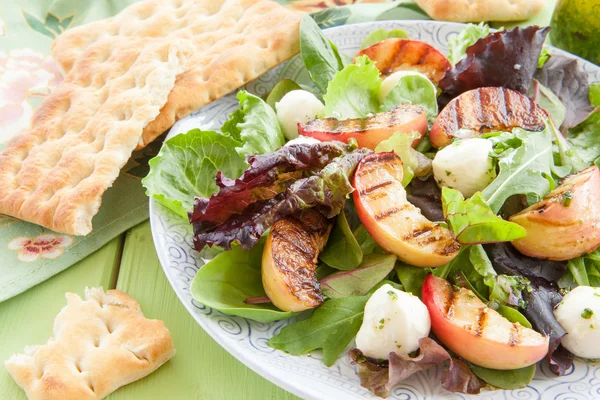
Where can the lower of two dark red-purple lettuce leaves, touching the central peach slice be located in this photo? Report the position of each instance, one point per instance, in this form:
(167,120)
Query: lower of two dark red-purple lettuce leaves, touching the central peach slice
(326,192)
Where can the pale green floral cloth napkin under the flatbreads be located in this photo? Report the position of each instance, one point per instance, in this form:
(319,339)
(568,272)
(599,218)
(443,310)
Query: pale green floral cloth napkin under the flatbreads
(31,254)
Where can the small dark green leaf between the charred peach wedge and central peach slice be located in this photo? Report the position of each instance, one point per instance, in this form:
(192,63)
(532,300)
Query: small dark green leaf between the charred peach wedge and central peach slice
(343,250)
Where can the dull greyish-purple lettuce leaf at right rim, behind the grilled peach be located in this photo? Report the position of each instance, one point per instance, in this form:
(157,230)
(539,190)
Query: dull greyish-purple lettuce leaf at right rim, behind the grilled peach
(569,83)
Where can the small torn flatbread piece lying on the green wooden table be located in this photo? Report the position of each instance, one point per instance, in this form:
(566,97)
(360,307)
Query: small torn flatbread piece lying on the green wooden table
(99,344)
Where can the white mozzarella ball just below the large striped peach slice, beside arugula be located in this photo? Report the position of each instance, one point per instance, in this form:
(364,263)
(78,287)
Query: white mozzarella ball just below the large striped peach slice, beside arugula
(465,165)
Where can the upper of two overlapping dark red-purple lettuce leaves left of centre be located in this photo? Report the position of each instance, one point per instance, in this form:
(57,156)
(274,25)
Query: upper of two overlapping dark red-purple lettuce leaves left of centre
(268,175)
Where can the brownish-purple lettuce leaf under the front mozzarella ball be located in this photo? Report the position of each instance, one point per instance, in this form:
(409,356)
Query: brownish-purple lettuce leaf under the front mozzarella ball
(381,376)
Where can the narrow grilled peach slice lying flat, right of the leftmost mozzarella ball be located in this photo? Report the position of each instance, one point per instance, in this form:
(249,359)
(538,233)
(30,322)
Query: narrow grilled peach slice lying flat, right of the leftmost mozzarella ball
(369,132)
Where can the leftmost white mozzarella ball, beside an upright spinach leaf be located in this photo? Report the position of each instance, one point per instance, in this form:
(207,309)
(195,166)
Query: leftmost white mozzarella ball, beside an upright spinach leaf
(297,106)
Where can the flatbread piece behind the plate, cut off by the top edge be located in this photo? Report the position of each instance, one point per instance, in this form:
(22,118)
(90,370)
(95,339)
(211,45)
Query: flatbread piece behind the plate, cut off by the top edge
(481,10)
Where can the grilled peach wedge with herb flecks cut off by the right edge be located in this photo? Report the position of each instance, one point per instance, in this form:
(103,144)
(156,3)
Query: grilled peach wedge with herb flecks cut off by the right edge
(566,224)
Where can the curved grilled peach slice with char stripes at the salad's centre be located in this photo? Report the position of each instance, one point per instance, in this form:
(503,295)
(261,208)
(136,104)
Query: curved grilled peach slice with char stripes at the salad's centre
(397,225)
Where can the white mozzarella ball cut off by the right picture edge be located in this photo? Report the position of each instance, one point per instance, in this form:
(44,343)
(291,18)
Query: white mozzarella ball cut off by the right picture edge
(579,314)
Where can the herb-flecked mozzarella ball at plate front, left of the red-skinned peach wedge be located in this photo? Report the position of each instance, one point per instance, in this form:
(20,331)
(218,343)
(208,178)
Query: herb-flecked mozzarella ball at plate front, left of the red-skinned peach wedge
(394,321)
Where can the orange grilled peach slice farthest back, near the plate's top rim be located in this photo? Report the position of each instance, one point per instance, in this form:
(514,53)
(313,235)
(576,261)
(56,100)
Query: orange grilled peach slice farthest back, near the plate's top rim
(391,55)
